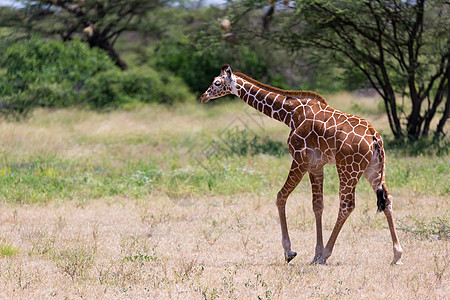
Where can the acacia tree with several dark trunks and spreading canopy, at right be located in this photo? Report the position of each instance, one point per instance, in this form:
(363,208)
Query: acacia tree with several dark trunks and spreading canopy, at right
(402,47)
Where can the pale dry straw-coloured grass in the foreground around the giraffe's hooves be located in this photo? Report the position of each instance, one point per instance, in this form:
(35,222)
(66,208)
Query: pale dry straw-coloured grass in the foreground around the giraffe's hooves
(217,247)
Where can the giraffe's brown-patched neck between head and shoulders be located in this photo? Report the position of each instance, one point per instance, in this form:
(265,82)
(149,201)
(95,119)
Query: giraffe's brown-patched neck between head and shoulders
(271,103)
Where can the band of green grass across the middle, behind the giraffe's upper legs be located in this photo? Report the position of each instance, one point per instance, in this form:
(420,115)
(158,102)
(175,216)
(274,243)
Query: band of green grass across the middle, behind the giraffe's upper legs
(224,173)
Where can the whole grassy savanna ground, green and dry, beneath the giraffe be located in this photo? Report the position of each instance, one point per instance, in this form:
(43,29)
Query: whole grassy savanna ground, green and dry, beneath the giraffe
(180,203)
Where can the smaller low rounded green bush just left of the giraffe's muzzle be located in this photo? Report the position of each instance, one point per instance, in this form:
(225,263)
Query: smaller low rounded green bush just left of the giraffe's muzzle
(115,88)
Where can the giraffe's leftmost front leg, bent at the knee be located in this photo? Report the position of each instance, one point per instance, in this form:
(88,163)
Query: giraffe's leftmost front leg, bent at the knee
(294,177)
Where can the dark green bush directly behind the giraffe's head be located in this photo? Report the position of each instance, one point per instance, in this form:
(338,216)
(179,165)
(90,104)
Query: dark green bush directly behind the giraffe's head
(198,64)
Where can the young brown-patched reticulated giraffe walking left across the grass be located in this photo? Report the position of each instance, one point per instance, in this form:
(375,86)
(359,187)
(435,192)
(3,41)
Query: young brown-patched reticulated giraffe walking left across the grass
(319,135)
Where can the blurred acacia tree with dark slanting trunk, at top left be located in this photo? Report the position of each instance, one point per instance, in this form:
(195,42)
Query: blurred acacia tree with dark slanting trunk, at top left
(101,21)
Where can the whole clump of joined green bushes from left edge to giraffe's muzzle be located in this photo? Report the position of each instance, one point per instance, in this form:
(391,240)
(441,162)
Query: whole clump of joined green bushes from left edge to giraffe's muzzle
(57,74)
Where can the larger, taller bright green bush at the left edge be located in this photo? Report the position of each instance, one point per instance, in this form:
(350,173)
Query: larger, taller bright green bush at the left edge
(48,74)
